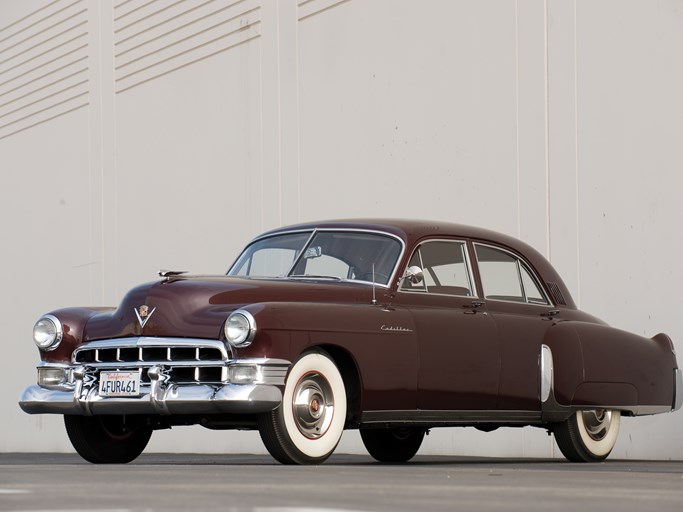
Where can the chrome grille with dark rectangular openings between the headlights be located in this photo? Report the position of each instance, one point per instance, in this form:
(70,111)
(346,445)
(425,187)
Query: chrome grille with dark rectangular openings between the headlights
(186,360)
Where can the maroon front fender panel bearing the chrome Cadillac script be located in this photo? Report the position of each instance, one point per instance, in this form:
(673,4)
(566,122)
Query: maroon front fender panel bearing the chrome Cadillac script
(381,341)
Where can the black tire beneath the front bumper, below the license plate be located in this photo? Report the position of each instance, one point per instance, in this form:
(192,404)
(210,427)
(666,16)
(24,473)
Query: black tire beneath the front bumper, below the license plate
(106,439)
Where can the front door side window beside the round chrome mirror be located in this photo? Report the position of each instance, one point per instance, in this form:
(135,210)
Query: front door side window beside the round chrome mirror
(445,269)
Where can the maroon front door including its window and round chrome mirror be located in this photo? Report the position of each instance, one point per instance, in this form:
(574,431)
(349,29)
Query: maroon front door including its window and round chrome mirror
(459,361)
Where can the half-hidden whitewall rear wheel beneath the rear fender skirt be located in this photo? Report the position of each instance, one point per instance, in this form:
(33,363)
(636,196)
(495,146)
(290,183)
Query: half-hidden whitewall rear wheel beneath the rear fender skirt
(588,436)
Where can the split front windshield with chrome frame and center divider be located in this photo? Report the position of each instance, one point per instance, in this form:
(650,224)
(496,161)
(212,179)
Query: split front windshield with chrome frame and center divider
(345,255)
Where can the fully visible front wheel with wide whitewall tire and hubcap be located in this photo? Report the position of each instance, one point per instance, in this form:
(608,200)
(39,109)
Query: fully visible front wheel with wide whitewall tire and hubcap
(307,426)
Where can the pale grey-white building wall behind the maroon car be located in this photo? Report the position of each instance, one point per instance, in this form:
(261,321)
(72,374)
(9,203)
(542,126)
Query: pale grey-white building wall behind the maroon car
(136,136)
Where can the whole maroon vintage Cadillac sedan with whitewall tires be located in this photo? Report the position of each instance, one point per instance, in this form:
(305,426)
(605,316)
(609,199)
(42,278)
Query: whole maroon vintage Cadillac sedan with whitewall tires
(386,326)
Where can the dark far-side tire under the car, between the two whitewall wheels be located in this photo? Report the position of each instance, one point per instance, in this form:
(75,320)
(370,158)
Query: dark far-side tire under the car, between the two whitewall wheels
(392,444)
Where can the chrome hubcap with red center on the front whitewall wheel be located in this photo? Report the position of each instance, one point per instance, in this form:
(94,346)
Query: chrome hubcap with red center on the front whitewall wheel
(313,405)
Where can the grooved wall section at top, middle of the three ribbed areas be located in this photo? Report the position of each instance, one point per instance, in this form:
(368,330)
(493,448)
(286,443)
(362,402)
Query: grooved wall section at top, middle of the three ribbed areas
(154,39)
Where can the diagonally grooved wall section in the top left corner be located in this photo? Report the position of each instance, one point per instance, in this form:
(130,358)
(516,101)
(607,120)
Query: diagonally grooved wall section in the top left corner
(43,65)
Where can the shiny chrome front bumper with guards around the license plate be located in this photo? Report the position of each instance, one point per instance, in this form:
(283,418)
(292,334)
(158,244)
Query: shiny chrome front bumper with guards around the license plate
(259,392)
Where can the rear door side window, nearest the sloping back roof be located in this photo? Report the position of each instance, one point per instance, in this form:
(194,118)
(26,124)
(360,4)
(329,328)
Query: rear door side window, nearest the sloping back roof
(506,277)
